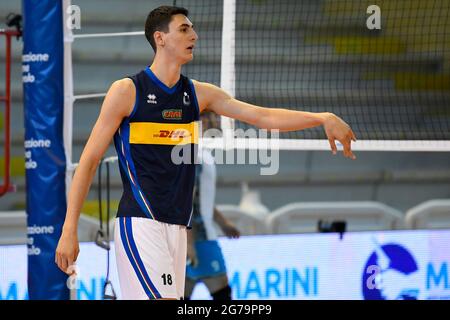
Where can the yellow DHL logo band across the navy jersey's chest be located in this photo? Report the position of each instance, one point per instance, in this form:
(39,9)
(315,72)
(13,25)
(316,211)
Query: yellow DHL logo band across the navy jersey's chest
(163,133)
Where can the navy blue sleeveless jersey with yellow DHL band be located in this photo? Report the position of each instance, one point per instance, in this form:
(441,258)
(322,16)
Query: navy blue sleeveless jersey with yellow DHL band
(156,147)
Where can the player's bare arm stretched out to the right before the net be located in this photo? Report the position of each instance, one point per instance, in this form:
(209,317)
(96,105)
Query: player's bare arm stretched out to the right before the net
(212,98)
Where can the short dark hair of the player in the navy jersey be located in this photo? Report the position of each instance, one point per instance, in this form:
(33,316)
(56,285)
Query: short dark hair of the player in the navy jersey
(159,19)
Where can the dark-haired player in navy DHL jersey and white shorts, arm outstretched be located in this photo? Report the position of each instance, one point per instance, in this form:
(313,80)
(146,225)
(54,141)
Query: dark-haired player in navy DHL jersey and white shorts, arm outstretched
(148,115)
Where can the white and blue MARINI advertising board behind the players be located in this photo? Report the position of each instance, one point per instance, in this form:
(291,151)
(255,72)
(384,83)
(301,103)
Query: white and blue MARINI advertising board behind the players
(380,265)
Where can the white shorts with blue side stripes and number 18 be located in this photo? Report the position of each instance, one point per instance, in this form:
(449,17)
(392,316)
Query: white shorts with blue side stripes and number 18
(151,258)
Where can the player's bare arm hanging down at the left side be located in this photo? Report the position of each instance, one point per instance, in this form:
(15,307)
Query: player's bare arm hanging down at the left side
(118,104)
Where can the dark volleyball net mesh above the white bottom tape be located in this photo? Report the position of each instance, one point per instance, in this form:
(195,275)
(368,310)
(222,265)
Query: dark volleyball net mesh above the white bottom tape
(391,83)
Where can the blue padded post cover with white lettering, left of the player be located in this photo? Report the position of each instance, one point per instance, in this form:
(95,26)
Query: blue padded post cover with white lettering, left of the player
(45,163)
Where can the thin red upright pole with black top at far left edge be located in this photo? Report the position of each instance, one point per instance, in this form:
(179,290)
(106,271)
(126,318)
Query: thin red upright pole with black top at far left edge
(12,20)
